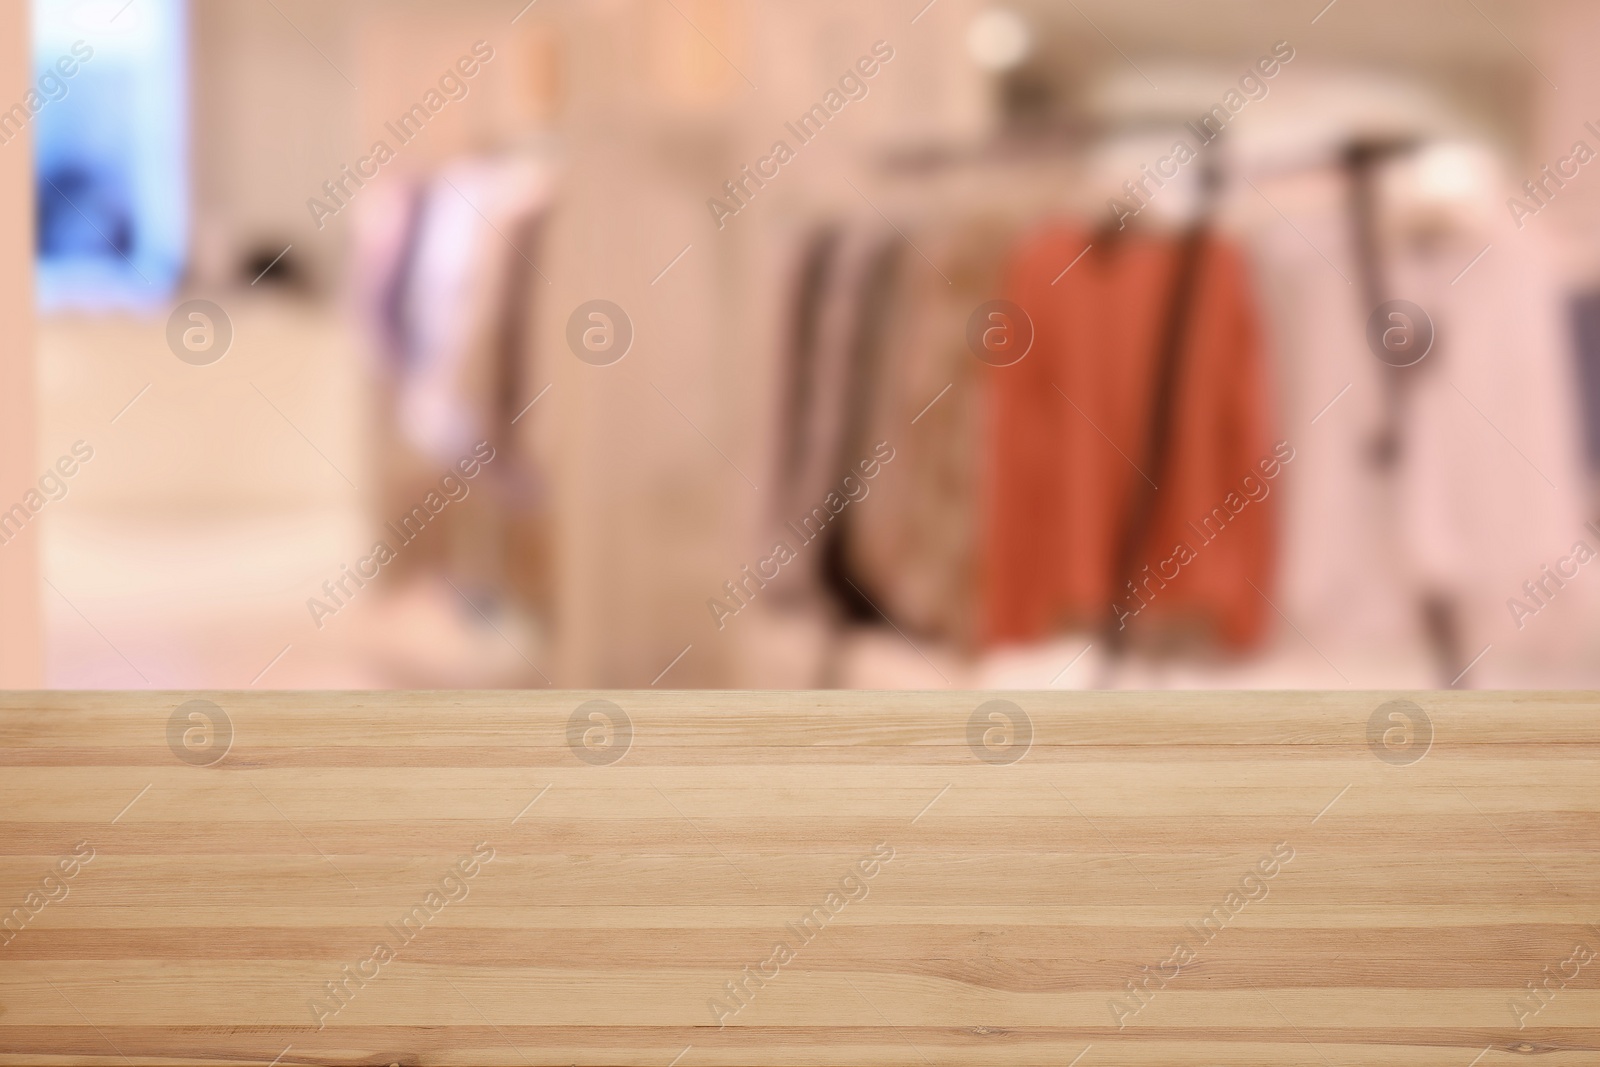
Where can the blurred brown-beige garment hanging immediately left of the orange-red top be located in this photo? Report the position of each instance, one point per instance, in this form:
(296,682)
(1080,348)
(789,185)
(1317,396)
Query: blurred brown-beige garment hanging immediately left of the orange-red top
(914,538)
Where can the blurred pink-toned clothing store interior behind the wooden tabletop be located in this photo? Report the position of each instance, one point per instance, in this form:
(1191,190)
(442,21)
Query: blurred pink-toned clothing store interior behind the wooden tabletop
(833,345)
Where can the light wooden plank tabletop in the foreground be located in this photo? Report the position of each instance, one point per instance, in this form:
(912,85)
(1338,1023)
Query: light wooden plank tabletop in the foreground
(686,879)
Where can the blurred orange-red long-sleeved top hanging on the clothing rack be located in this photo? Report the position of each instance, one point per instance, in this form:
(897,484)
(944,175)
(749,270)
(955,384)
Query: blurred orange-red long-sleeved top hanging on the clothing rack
(1068,441)
